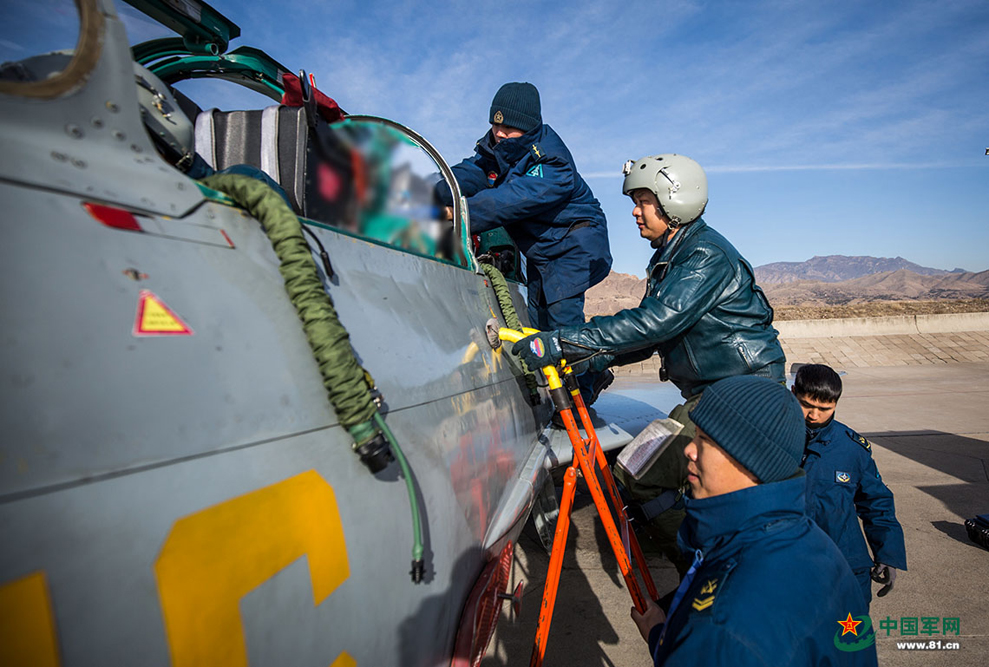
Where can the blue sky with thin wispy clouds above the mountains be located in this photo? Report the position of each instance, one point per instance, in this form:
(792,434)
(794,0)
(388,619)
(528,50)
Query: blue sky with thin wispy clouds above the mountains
(856,128)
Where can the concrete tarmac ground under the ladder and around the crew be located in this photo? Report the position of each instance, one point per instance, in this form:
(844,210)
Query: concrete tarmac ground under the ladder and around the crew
(929,426)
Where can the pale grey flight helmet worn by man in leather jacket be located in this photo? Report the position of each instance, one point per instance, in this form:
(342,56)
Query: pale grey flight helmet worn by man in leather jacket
(678,182)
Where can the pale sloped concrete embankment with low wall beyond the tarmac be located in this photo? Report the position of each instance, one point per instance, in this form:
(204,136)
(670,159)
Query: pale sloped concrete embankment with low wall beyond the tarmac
(875,341)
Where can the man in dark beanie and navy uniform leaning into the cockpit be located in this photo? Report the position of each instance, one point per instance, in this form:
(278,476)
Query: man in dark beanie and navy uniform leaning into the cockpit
(522,177)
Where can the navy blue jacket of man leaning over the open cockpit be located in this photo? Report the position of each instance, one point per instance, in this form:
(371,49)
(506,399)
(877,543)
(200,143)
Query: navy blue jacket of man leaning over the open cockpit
(539,198)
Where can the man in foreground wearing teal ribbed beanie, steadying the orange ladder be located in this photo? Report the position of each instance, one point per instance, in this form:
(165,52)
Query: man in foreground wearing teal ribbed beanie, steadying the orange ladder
(767,586)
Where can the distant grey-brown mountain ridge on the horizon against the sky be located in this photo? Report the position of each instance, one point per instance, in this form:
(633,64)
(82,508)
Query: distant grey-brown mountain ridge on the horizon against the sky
(837,268)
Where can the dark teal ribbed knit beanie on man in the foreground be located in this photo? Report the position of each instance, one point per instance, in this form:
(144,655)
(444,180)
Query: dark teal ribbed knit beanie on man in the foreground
(757,422)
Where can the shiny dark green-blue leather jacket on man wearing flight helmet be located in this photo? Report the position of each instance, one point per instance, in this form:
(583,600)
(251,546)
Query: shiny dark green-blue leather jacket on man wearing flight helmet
(702,311)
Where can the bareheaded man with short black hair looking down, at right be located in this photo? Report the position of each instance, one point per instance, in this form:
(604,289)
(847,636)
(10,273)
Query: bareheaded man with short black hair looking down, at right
(843,485)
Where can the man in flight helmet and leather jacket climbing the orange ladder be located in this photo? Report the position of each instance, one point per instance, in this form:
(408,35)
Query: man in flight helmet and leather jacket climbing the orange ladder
(702,312)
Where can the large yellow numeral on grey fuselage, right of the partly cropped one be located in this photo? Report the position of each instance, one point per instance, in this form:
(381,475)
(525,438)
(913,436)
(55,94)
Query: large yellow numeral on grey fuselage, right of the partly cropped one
(213,558)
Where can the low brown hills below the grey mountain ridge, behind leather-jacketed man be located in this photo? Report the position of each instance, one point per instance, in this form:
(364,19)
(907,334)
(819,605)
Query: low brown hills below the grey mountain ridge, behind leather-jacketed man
(620,290)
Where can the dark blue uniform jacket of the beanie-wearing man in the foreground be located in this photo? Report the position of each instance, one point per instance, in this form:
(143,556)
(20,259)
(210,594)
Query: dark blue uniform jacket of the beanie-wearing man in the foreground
(770,591)
